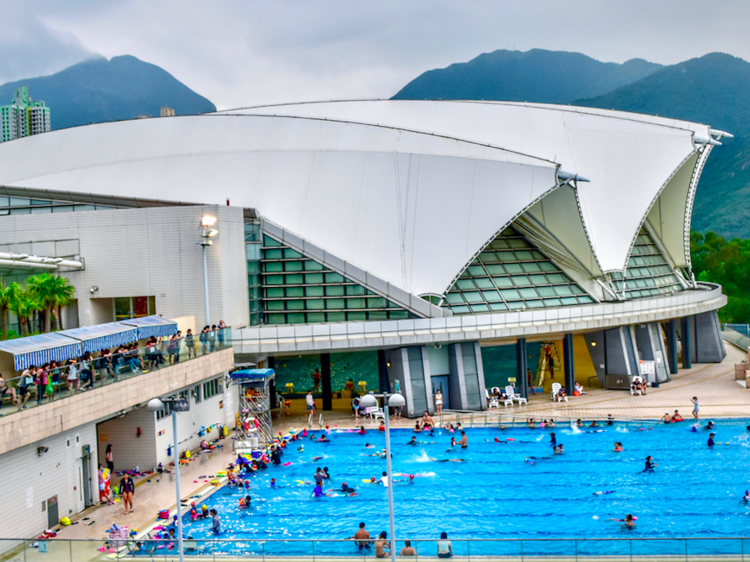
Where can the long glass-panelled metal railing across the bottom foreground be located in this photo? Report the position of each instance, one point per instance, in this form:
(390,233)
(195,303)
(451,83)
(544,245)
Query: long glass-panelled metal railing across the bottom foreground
(672,549)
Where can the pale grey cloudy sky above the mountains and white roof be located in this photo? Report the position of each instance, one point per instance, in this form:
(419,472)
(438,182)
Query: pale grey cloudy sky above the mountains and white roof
(244,52)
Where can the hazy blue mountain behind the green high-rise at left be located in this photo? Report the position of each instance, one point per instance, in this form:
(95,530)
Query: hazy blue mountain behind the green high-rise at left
(100,90)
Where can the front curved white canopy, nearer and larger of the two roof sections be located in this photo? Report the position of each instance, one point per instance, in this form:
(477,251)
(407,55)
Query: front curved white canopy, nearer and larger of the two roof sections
(410,208)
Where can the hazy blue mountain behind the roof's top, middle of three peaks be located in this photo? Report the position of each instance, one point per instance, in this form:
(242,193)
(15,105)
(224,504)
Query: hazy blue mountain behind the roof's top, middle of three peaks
(533,76)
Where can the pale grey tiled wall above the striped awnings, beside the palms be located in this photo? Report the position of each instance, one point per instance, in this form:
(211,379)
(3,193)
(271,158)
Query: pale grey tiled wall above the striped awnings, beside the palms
(143,252)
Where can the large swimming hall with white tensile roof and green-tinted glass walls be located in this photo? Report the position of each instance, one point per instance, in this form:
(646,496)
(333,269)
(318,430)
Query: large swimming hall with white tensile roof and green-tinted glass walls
(399,245)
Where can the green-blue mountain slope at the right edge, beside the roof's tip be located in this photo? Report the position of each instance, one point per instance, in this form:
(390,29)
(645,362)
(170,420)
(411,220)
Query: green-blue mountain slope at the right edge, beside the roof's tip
(715,90)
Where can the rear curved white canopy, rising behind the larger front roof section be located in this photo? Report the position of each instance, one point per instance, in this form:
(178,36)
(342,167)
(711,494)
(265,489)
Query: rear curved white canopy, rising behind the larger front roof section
(628,158)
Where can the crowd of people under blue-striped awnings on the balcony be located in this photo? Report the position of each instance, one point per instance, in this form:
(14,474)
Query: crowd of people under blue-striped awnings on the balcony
(96,369)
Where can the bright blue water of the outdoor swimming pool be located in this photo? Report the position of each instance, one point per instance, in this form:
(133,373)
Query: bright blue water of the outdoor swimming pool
(496,493)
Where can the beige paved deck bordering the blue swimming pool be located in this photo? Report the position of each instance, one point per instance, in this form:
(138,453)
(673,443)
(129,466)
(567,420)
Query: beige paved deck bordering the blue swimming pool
(720,396)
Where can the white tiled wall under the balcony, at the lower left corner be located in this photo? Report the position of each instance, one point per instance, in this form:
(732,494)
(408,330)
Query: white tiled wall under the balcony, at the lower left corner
(29,479)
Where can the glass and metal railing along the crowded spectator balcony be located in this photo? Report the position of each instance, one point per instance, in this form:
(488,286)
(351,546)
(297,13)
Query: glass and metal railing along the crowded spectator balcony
(97,370)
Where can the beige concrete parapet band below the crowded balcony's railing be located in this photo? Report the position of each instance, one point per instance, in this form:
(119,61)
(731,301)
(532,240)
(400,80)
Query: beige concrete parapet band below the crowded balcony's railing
(29,426)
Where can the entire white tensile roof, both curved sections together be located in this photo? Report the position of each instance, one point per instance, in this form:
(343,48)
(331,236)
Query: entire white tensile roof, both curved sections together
(407,191)
